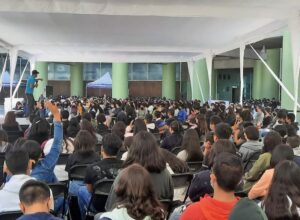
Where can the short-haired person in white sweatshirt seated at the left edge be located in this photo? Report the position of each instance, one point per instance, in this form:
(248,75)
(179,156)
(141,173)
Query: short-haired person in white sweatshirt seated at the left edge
(17,166)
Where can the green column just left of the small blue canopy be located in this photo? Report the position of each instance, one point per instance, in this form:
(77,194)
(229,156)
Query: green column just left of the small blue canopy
(76,79)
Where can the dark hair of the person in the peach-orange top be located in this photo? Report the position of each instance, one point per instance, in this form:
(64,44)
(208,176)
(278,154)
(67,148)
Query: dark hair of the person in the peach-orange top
(281,152)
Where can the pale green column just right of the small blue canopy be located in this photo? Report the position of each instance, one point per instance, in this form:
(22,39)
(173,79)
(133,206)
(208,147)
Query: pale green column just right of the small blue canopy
(120,80)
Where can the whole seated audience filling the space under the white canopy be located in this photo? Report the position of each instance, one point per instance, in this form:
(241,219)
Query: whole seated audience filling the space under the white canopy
(123,159)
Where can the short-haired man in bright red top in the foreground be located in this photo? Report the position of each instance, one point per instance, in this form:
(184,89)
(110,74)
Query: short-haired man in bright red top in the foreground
(226,174)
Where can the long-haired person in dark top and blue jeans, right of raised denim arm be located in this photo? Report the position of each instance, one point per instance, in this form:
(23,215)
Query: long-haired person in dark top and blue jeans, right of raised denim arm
(84,154)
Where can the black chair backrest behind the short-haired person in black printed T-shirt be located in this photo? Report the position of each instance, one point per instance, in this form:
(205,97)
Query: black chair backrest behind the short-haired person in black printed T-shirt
(101,190)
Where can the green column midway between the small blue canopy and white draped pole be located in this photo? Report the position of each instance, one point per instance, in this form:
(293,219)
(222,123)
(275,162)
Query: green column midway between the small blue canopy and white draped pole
(169,81)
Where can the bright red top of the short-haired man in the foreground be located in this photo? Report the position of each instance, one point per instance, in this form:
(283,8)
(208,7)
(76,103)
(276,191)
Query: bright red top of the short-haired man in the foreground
(208,209)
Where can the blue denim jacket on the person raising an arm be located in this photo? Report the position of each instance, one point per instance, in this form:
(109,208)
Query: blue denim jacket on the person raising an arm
(44,169)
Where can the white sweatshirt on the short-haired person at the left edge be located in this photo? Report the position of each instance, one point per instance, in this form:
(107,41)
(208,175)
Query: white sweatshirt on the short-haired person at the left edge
(9,195)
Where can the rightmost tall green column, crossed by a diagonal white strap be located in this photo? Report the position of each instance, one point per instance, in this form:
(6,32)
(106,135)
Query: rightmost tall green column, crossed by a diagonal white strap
(287,72)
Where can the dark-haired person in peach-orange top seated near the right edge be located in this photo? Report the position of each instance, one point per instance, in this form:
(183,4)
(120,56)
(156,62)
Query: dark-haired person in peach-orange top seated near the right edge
(261,187)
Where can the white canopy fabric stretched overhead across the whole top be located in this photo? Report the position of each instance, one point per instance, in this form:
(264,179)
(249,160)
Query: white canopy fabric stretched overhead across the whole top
(138,30)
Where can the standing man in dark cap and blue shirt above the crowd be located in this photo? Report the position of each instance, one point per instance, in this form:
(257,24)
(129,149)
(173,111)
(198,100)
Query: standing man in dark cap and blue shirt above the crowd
(31,83)
